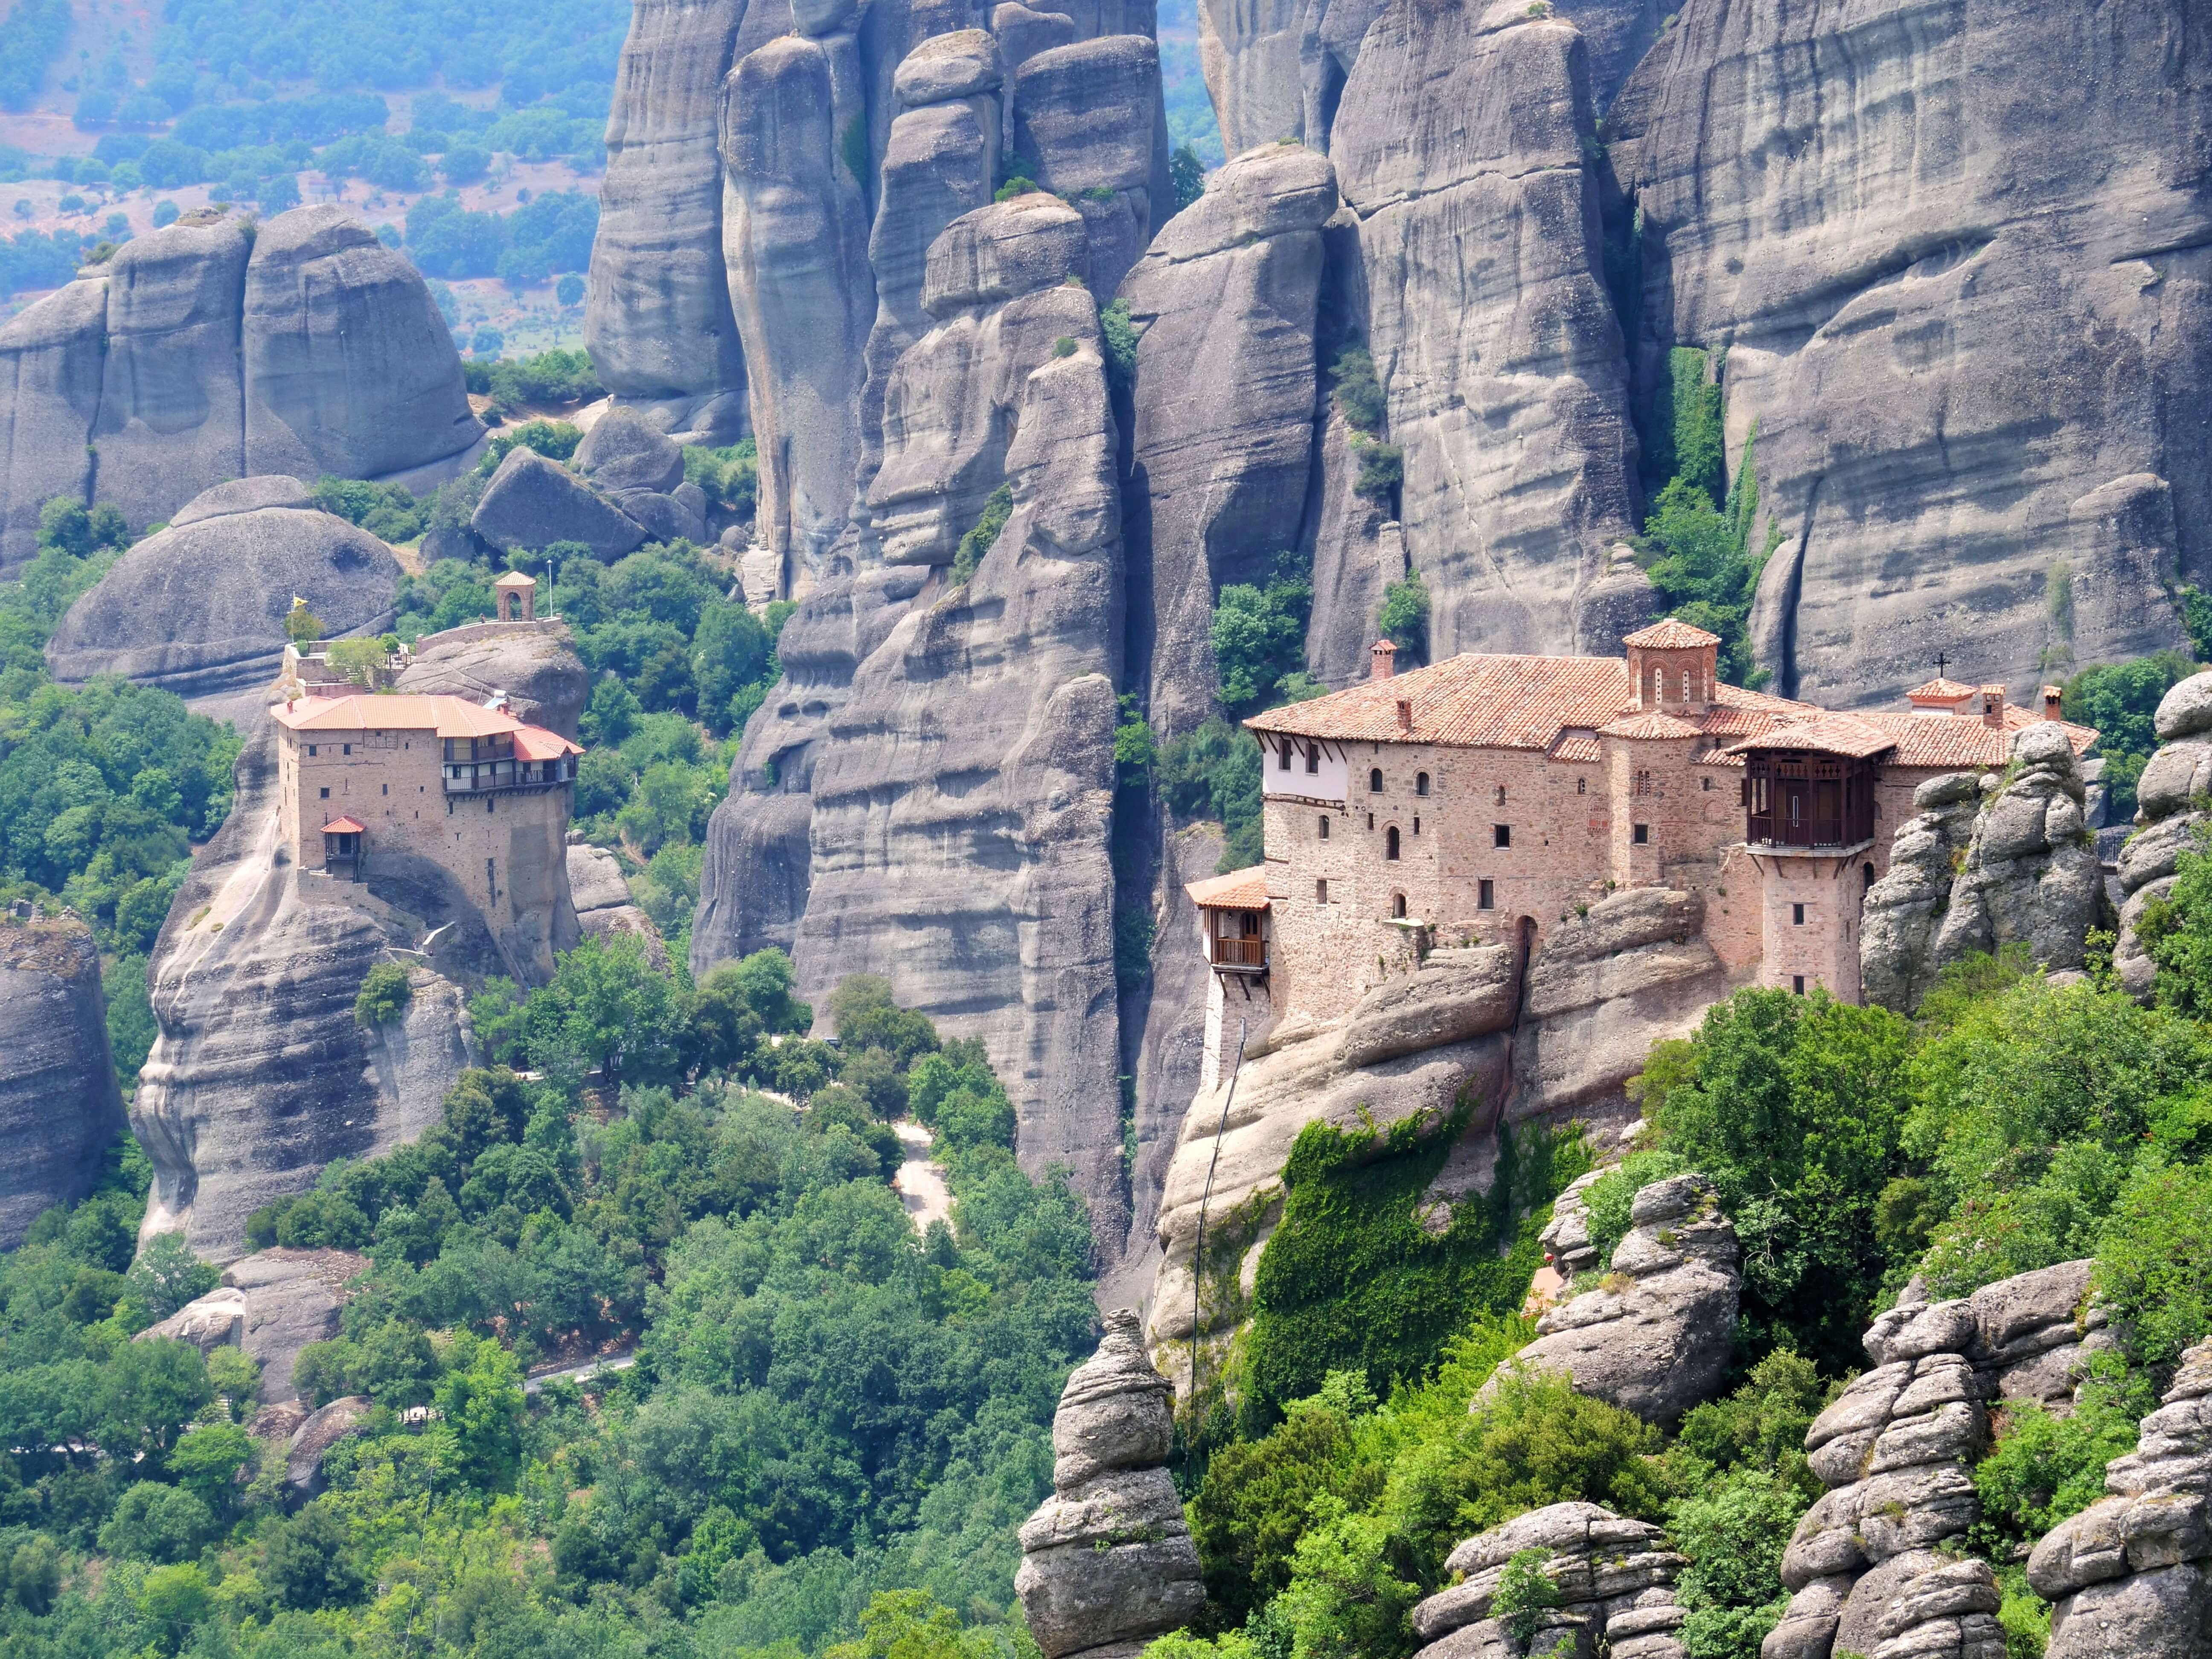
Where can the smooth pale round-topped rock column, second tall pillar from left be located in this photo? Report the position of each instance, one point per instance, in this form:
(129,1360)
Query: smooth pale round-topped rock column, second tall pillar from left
(795,240)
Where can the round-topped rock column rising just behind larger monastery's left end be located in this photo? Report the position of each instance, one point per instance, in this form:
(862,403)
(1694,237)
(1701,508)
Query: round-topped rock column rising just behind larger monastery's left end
(1227,304)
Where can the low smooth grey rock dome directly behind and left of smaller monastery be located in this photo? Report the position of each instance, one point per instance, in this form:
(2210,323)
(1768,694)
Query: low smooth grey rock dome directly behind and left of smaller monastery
(202,607)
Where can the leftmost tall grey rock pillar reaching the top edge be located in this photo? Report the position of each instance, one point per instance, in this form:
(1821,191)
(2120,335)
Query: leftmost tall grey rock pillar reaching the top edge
(658,313)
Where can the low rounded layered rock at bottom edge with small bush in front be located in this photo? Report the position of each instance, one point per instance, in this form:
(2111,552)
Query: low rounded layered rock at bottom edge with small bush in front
(1614,1576)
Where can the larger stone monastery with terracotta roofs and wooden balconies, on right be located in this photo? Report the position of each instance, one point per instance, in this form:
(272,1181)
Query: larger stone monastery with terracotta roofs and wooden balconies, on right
(1488,800)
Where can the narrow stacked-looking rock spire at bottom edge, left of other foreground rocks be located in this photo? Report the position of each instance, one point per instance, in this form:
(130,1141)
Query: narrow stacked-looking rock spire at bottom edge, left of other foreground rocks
(1107,1561)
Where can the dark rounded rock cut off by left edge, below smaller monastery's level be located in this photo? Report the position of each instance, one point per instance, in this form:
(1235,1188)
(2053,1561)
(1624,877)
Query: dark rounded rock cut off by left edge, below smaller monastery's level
(59,1100)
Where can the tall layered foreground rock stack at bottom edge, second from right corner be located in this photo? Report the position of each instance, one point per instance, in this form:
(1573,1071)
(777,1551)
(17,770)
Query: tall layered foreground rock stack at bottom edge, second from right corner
(1870,1565)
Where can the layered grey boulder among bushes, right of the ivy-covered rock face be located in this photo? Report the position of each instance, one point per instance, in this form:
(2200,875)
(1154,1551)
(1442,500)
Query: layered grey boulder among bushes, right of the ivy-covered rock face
(1658,1333)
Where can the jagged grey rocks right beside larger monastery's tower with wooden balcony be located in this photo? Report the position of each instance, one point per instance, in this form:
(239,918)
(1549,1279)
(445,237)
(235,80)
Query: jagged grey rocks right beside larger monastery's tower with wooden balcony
(2027,873)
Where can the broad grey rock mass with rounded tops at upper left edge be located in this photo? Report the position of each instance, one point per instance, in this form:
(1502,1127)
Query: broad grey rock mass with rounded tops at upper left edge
(200,353)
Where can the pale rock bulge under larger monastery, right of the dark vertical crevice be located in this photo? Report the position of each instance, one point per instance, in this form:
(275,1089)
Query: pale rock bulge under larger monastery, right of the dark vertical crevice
(1603,990)
